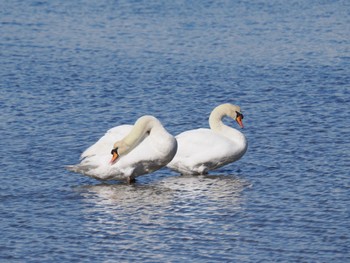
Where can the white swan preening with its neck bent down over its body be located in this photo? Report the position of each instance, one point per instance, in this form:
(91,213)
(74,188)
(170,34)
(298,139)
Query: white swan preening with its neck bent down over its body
(136,149)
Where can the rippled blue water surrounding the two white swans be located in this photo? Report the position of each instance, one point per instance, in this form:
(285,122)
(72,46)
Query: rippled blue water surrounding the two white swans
(70,70)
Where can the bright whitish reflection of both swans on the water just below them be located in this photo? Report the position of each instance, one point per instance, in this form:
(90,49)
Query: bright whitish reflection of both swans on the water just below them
(168,192)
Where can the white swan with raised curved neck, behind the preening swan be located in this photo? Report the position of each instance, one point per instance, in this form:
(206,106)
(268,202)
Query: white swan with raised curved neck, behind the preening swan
(202,150)
